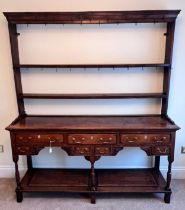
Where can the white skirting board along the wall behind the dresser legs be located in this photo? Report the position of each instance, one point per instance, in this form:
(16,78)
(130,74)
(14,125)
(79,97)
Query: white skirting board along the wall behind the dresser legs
(9,171)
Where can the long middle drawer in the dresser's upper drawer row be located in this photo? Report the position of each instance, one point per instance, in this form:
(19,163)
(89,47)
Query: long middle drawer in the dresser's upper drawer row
(92,139)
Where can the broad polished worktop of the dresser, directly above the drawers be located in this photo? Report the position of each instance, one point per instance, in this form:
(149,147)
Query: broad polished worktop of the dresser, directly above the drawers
(157,122)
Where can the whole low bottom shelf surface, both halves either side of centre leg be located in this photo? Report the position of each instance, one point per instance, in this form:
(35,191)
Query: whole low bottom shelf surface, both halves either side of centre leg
(77,180)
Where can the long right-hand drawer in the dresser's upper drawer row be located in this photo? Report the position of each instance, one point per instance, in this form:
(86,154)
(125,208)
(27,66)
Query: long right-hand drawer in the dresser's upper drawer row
(141,139)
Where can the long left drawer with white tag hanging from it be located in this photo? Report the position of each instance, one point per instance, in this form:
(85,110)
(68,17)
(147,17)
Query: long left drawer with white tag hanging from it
(41,139)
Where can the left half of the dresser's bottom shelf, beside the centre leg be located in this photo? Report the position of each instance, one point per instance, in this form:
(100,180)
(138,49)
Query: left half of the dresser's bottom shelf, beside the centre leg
(56,180)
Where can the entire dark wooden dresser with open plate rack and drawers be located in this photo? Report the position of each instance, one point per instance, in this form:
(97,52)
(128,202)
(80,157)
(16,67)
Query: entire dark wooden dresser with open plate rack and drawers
(93,136)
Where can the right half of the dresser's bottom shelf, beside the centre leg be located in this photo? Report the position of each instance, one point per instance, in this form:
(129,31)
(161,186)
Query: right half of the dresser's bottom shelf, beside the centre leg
(130,180)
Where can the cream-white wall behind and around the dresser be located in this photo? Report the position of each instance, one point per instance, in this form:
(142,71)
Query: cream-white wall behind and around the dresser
(85,39)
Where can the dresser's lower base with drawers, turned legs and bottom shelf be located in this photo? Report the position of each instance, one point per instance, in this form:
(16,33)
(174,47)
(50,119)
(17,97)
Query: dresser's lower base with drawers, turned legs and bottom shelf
(153,134)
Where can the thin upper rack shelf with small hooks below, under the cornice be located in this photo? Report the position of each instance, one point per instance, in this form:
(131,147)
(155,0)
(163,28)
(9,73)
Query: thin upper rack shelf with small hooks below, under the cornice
(93,65)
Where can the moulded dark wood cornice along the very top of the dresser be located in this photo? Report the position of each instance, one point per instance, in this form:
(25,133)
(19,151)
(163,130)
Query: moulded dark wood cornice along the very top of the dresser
(93,17)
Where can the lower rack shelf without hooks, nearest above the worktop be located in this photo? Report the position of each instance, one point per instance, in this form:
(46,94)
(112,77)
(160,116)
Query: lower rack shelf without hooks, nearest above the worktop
(92,95)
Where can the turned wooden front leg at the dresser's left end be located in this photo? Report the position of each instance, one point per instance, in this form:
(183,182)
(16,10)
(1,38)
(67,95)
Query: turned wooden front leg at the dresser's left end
(18,182)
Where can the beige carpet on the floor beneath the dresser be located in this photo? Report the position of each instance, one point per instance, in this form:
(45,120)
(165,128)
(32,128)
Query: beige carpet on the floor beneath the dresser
(57,201)
